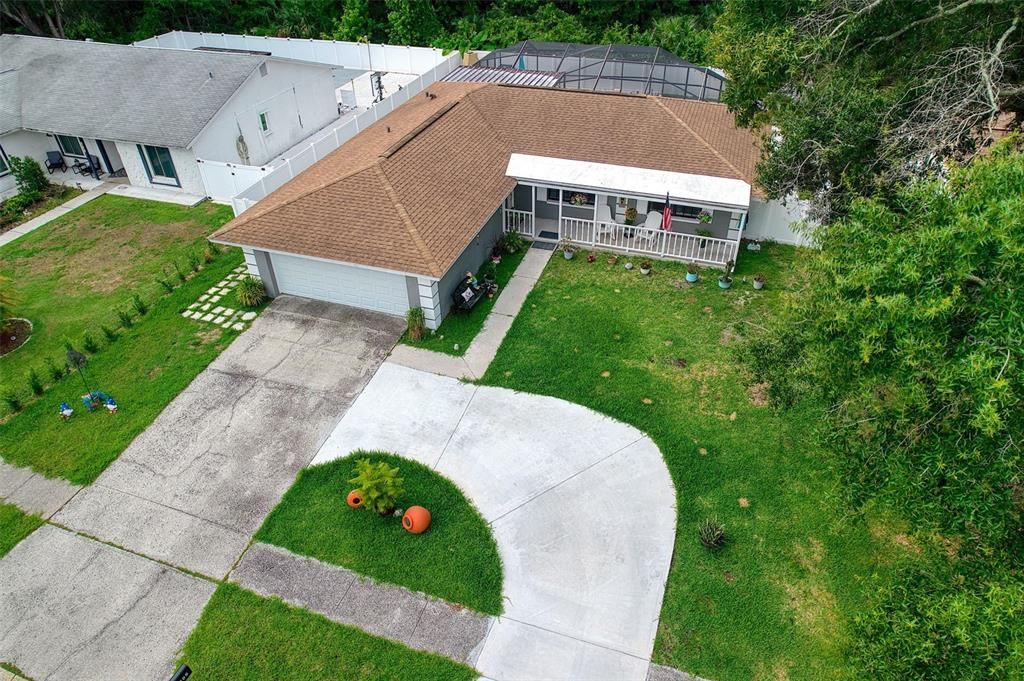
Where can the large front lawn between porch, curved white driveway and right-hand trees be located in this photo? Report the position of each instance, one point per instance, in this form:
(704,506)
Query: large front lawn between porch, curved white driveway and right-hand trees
(779,601)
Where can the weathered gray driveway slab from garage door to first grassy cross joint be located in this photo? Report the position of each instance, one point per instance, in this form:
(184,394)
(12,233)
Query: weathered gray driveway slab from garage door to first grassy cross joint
(193,489)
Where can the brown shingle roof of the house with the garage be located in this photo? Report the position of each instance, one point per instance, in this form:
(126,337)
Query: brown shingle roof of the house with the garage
(412,191)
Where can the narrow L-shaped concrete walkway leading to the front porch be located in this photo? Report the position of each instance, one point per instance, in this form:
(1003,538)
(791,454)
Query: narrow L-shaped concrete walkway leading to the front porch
(483,350)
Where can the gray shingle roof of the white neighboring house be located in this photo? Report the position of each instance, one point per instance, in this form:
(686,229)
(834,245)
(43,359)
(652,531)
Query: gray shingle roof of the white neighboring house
(117,93)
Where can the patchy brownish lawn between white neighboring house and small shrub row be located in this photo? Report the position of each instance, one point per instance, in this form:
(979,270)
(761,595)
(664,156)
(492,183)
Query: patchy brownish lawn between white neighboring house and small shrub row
(73,275)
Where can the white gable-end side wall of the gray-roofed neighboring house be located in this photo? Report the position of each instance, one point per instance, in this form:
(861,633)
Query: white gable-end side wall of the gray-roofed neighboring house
(300,100)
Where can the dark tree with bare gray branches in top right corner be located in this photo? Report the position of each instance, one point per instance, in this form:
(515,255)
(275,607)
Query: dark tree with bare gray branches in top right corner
(857,96)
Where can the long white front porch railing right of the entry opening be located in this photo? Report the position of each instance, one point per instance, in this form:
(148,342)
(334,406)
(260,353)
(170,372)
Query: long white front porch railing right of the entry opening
(656,243)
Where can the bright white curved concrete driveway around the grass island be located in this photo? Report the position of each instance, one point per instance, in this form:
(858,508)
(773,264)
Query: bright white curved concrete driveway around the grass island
(582,507)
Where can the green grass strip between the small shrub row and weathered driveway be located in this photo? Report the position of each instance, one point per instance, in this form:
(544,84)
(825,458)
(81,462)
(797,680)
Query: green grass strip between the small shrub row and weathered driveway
(145,369)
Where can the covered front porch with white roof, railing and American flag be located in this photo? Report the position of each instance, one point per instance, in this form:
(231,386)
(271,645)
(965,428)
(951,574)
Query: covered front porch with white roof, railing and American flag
(591,205)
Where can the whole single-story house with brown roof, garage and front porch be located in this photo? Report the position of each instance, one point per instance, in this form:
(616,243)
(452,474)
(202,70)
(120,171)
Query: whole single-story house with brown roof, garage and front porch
(395,218)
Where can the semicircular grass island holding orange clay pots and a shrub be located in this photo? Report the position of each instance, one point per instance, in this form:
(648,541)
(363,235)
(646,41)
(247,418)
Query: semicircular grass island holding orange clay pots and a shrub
(456,560)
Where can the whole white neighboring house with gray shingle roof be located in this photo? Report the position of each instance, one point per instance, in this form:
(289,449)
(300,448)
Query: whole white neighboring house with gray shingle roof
(147,114)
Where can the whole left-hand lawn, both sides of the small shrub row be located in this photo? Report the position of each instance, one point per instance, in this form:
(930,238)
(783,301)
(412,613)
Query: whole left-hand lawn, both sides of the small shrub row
(146,366)
